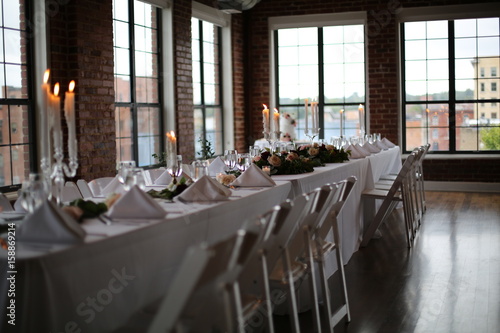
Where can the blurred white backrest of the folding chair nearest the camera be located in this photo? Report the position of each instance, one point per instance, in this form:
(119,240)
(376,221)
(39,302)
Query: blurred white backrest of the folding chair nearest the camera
(181,289)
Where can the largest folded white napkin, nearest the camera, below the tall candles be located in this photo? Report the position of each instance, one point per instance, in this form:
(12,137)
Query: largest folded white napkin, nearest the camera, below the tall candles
(50,224)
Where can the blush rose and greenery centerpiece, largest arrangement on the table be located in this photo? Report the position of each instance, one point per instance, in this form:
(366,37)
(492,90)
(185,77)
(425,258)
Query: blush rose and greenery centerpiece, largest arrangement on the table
(285,163)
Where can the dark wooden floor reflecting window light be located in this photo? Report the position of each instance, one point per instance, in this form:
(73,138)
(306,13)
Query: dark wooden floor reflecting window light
(448,282)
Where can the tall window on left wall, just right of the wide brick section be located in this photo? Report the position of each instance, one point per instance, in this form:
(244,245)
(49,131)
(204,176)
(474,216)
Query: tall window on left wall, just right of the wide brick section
(139,121)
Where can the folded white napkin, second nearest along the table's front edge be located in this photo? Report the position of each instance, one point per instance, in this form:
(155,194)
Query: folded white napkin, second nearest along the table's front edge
(136,204)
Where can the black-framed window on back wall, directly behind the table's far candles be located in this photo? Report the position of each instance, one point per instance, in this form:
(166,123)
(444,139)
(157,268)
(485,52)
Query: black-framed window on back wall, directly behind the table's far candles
(324,63)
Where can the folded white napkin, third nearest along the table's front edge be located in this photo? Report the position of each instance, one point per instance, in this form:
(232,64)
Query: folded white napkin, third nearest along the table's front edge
(205,189)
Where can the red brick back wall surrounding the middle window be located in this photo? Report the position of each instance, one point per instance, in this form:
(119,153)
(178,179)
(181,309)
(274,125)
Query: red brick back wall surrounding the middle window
(382,63)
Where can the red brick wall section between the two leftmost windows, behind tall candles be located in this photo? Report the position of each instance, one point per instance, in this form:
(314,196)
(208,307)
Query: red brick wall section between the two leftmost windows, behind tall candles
(81,44)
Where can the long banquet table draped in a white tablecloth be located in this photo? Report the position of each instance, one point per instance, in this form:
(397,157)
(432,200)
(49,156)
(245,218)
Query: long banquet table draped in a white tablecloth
(95,286)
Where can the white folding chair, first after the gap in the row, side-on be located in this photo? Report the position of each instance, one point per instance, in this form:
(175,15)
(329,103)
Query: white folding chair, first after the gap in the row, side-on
(398,192)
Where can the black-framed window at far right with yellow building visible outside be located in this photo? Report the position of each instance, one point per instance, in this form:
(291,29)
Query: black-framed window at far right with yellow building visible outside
(443,71)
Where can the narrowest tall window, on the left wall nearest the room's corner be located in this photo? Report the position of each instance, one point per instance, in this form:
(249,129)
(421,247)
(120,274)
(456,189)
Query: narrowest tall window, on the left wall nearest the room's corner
(207,84)
